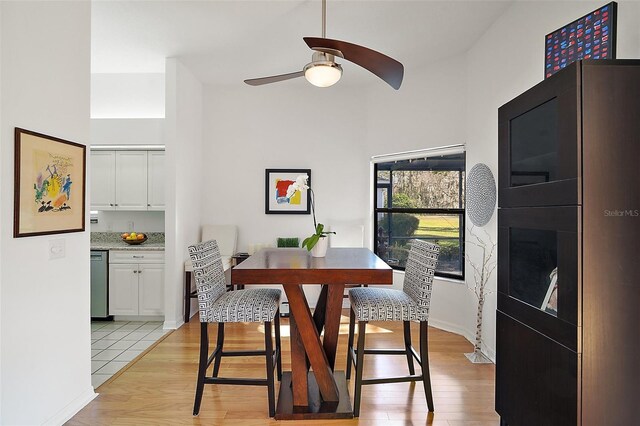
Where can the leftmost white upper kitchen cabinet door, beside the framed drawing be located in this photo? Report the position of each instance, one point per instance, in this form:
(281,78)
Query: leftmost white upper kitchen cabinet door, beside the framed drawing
(103,180)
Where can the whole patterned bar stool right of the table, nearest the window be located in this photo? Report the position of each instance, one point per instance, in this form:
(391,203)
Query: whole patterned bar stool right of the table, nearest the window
(406,305)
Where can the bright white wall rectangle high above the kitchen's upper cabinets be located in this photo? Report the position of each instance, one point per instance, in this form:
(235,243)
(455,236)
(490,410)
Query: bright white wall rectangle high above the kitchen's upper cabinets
(127,95)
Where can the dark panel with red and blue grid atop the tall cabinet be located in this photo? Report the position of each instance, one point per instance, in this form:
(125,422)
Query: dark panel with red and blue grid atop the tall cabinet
(591,37)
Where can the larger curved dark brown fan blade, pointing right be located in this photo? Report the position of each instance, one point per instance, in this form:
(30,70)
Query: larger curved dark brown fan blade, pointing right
(381,65)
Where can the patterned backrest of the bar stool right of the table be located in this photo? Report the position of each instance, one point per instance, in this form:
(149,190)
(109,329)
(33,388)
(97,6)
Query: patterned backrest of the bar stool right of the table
(418,273)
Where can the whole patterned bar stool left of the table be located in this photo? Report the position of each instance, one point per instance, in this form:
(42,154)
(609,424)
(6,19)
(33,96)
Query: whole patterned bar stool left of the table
(216,305)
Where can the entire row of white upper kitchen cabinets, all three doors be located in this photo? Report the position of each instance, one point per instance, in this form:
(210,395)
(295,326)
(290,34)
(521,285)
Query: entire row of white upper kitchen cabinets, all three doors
(127,180)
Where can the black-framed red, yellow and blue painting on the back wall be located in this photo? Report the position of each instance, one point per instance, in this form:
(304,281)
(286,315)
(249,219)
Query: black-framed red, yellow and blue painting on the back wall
(277,182)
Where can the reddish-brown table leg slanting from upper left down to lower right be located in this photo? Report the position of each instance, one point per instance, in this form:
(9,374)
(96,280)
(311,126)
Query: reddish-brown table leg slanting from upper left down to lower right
(312,344)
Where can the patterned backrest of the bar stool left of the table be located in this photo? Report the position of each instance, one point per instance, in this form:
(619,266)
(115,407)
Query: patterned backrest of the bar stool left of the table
(208,274)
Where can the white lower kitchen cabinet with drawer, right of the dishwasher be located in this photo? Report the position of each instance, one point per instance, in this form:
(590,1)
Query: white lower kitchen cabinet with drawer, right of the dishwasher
(136,283)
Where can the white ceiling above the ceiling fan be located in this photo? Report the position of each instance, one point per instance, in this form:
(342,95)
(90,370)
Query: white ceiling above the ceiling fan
(224,42)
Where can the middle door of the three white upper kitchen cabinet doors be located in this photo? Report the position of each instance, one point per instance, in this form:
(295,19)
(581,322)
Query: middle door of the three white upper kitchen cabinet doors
(131,180)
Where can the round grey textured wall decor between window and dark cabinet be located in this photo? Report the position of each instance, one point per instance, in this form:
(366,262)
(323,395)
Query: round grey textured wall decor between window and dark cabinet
(481,194)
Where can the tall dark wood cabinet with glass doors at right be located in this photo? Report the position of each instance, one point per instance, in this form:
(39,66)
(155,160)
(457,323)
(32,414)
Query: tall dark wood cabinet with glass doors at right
(568,320)
